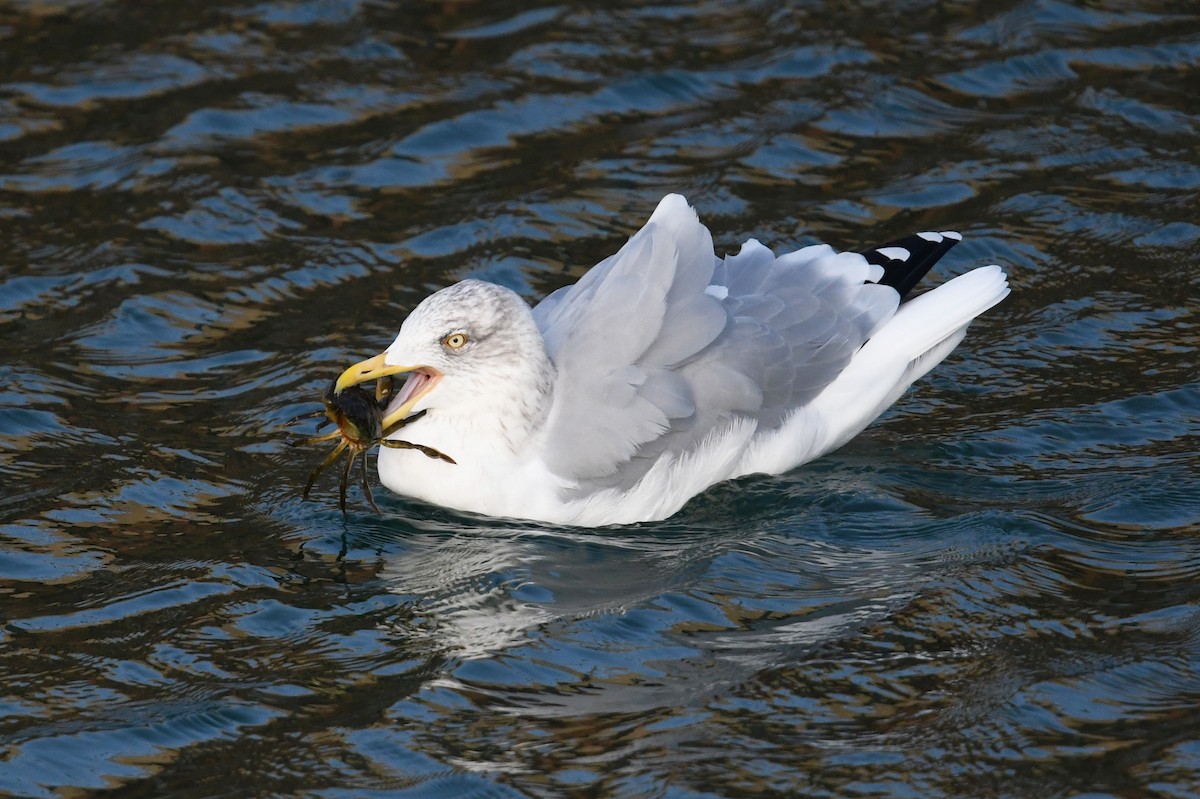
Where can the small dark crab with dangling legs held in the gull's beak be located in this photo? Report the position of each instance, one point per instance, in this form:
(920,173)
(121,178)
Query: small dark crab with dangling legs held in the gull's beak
(358,414)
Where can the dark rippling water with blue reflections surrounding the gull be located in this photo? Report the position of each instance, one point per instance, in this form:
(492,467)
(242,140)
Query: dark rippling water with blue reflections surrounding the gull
(211,209)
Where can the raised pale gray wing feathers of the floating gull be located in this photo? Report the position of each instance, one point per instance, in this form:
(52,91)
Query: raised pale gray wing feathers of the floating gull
(663,344)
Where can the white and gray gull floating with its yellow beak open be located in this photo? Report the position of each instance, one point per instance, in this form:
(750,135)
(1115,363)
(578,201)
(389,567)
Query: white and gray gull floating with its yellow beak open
(664,371)
